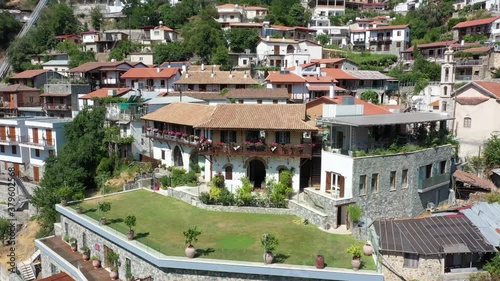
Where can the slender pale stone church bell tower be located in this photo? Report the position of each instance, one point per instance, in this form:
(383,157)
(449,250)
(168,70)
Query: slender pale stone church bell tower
(447,81)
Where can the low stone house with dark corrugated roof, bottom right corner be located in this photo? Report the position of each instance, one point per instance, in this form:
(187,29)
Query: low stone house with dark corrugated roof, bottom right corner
(432,248)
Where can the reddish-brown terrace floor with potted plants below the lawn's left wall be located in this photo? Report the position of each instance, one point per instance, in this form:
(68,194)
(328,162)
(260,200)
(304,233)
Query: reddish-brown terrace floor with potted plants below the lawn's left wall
(62,248)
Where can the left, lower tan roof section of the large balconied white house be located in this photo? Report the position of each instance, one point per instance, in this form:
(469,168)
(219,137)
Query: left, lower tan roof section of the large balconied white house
(182,113)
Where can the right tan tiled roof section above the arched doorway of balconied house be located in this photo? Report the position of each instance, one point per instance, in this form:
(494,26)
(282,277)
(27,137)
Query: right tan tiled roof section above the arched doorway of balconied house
(259,116)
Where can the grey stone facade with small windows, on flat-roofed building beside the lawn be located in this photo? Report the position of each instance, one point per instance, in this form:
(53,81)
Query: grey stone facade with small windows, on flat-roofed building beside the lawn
(399,201)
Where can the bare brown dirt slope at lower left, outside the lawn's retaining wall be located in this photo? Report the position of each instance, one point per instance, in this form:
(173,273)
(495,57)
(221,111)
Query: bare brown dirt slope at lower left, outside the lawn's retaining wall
(25,243)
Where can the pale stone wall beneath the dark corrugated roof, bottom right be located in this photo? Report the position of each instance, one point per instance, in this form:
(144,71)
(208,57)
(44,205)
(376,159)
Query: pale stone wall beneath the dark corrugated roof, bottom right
(429,268)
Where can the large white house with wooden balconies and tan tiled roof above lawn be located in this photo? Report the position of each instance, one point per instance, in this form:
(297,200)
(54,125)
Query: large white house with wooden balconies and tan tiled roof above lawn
(256,141)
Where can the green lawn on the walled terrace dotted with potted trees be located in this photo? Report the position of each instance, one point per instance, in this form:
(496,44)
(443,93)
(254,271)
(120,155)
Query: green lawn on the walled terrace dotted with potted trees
(231,236)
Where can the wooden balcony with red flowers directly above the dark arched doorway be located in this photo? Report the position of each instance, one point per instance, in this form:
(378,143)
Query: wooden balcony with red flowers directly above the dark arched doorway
(252,149)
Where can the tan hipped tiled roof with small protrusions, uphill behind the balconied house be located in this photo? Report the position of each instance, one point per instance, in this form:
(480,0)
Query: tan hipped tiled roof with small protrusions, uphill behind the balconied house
(218,77)
